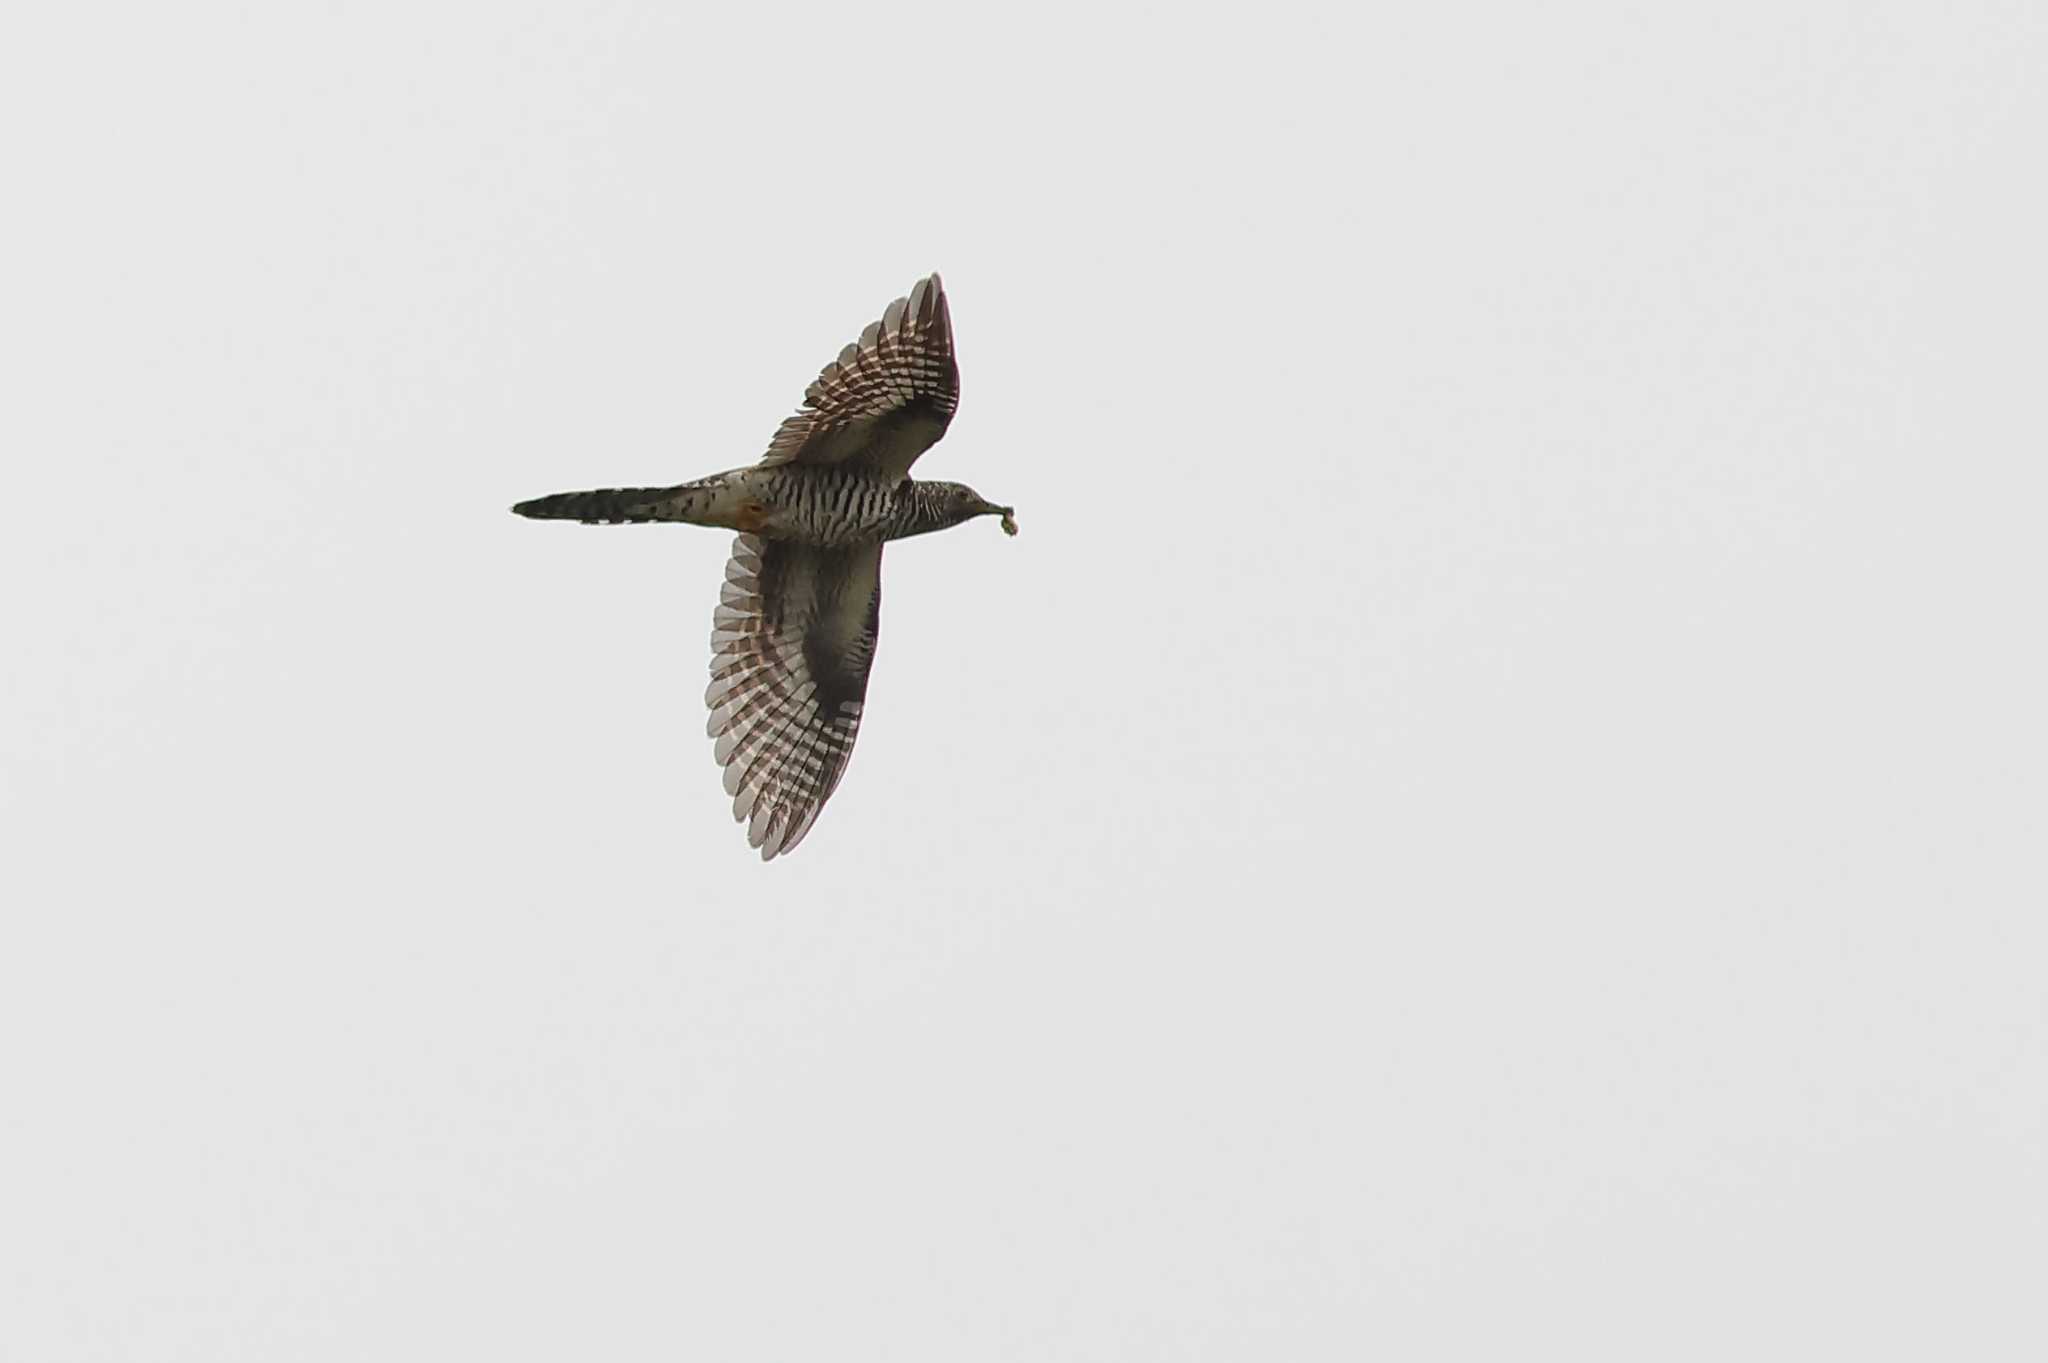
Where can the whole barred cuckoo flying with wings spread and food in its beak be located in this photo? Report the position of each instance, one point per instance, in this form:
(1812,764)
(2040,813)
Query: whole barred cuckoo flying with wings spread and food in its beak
(794,633)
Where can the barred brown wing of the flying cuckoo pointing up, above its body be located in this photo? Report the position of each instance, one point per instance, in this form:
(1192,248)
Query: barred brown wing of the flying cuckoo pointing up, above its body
(886,400)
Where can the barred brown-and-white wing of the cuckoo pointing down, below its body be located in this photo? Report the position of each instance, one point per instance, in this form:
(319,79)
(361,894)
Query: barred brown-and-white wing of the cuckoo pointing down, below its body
(792,646)
